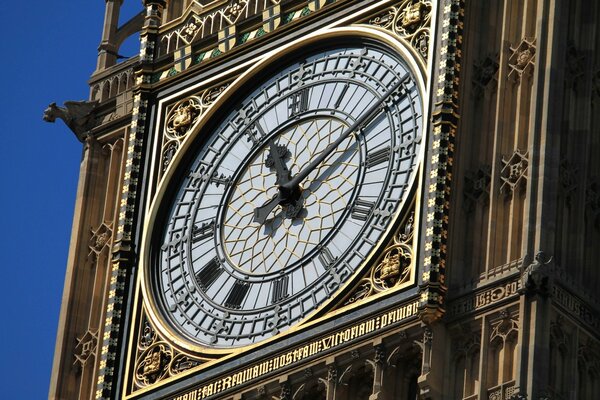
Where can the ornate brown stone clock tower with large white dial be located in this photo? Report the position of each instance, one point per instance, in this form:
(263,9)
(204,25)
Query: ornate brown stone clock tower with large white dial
(336,199)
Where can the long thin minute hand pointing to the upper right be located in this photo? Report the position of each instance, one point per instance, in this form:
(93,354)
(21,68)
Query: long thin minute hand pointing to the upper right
(300,176)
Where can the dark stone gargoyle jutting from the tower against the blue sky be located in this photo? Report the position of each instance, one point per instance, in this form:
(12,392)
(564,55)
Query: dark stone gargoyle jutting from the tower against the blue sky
(79,116)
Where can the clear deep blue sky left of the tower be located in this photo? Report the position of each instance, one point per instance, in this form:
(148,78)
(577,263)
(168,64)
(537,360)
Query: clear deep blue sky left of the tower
(48,52)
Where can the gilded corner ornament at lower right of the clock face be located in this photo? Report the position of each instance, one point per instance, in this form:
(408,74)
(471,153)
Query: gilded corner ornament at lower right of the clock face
(393,269)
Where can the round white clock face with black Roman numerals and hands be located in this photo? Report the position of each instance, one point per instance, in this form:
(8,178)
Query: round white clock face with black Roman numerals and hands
(287,195)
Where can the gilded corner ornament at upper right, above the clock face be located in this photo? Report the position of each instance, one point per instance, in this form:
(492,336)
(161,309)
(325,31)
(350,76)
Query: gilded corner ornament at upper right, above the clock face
(410,20)
